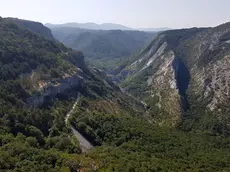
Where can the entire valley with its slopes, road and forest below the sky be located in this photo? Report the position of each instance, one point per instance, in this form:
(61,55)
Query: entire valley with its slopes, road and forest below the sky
(77,99)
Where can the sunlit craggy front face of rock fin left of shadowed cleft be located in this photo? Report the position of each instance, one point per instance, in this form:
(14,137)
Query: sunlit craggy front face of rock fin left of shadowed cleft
(165,108)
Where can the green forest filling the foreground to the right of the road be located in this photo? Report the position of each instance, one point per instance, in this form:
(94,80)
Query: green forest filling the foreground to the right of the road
(131,143)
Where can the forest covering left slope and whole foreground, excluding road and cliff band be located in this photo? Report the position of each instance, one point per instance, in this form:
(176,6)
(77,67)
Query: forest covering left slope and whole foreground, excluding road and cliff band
(36,138)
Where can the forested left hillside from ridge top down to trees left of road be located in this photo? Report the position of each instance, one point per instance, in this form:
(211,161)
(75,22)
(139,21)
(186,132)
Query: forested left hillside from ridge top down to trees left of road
(39,81)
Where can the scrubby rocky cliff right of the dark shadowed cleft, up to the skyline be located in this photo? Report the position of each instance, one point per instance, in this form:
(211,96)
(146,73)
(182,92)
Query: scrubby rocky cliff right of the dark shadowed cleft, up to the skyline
(209,68)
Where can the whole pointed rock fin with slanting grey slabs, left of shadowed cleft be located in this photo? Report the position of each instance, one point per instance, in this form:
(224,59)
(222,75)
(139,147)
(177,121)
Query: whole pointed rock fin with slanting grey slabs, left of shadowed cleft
(158,68)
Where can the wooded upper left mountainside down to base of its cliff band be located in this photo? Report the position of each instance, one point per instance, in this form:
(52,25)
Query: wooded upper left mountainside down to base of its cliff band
(35,69)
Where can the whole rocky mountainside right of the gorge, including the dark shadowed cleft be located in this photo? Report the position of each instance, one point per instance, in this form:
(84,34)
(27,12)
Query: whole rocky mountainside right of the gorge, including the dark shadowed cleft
(182,70)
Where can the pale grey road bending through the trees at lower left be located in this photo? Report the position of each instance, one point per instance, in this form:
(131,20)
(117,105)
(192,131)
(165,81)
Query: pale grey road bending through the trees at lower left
(84,143)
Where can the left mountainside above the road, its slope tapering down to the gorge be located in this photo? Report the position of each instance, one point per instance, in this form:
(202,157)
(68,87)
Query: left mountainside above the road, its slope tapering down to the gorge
(36,70)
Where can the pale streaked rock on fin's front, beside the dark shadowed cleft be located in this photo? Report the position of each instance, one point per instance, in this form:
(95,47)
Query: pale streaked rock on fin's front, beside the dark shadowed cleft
(163,88)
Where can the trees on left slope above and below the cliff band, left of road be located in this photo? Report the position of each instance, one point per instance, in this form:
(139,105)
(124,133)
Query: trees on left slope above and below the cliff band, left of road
(31,139)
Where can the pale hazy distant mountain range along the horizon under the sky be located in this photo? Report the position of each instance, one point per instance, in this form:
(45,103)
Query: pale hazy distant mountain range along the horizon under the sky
(104,26)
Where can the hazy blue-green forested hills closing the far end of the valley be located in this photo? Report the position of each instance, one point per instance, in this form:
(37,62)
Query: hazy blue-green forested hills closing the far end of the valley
(103,48)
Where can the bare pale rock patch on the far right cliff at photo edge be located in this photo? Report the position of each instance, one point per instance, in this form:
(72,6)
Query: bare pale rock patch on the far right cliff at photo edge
(214,80)
